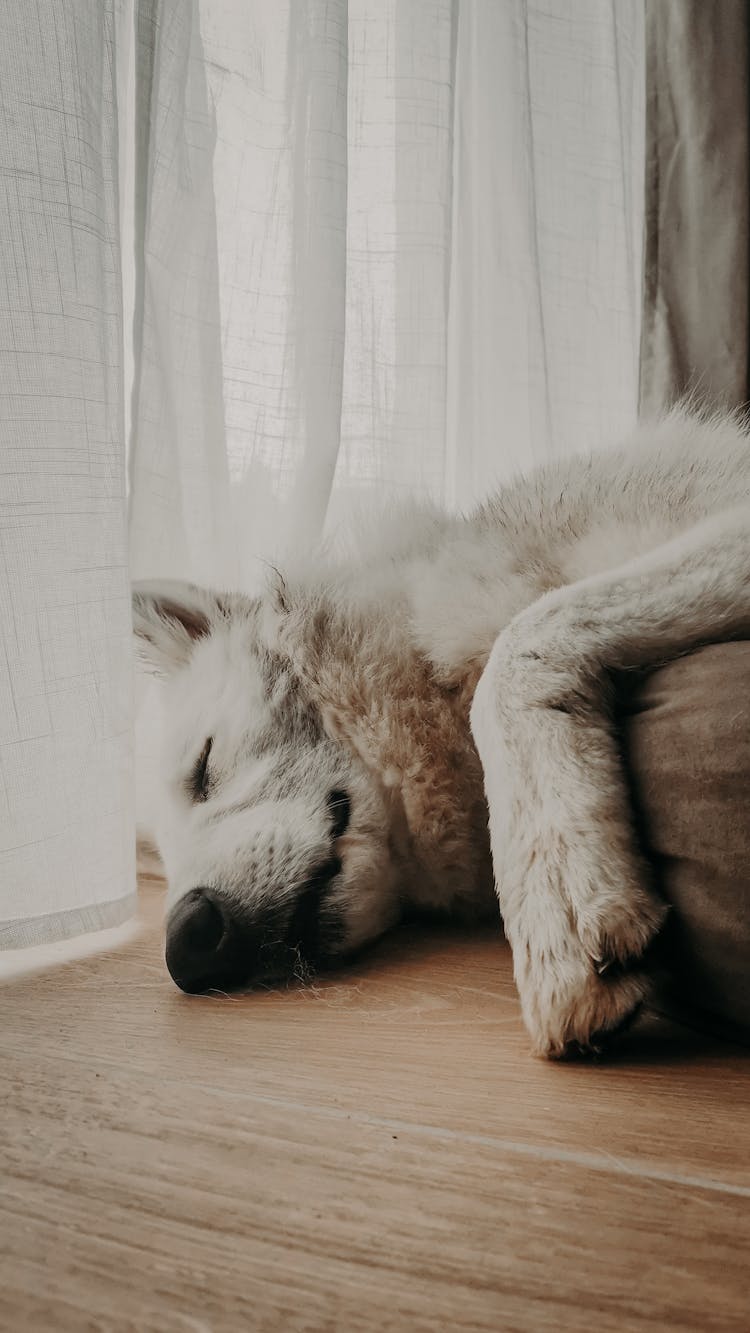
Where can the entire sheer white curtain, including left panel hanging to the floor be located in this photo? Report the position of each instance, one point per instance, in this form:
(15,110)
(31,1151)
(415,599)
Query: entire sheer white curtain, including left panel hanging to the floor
(367,247)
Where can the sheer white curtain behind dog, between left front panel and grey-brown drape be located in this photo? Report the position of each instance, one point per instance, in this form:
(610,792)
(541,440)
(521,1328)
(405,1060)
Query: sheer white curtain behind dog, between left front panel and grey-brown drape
(386,242)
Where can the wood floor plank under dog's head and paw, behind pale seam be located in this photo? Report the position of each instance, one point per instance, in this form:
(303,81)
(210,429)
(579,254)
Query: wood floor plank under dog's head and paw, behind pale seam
(426,1028)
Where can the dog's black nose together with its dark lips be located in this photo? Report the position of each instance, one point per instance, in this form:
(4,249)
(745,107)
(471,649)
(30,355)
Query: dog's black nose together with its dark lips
(215,944)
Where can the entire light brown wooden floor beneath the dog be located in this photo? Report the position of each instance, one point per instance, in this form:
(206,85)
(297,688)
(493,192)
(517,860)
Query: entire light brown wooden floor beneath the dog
(378,1152)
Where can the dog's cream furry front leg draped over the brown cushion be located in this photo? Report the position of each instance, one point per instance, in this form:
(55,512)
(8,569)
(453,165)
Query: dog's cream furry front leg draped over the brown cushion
(575,894)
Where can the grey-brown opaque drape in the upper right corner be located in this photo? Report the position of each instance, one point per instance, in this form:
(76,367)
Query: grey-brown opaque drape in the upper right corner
(696,301)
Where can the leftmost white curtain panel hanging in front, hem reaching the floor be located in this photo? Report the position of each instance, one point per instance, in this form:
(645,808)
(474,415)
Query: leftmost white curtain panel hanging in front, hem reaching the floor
(67,860)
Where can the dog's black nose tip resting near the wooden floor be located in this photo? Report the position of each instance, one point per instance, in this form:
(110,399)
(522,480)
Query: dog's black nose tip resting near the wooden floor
(204,944)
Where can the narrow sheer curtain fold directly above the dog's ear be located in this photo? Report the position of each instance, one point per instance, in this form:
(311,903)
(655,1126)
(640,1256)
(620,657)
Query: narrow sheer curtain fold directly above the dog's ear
(179,495)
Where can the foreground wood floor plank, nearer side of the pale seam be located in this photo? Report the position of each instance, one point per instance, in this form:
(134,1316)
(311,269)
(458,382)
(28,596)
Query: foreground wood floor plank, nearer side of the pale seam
(146,1203)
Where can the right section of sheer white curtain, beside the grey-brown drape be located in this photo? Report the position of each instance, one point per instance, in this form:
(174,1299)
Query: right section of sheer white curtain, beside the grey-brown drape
(546,310)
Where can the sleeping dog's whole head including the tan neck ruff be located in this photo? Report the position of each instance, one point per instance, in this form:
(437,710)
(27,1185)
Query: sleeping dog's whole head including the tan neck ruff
(314,780)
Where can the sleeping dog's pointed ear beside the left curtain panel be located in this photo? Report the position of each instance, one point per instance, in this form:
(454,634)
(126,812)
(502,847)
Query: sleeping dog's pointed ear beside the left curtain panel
(169,618)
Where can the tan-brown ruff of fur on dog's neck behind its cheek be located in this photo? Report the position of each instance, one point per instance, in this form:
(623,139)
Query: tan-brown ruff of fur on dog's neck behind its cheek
(359,659)
